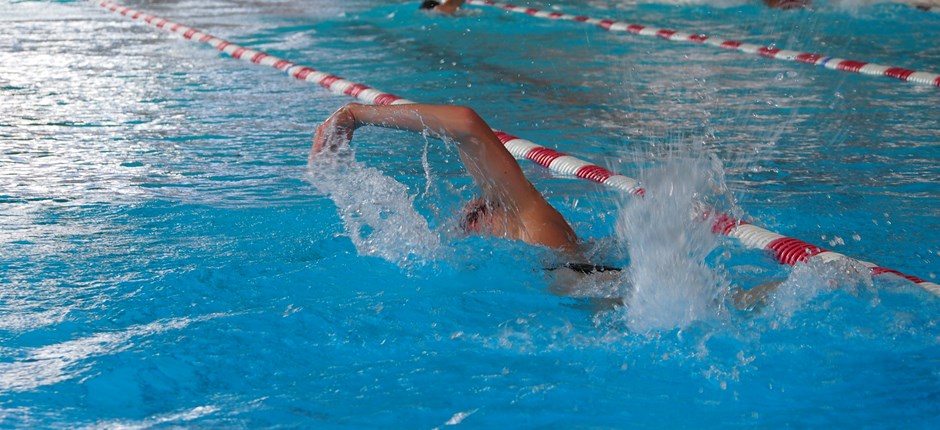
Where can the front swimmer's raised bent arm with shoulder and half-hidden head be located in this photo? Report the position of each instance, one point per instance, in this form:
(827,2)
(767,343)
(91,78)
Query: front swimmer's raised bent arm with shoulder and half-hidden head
(516,210)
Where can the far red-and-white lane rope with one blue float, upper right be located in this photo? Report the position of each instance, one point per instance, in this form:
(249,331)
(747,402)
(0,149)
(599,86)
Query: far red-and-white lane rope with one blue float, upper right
(829,62)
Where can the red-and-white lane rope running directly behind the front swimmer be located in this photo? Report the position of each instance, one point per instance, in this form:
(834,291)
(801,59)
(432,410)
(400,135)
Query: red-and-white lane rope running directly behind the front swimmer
(784,249)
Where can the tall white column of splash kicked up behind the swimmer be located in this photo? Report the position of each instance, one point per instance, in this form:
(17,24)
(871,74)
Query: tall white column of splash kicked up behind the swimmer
(672,282)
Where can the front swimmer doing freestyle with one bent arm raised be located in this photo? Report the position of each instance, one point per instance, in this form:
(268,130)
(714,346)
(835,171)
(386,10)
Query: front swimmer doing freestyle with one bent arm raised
(509,207)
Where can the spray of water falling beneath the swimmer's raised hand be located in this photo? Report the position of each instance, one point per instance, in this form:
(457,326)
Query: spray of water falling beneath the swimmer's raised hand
(377,211)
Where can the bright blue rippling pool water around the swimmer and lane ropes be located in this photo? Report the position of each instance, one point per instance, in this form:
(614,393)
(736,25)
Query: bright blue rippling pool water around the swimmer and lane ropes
(167,260)
